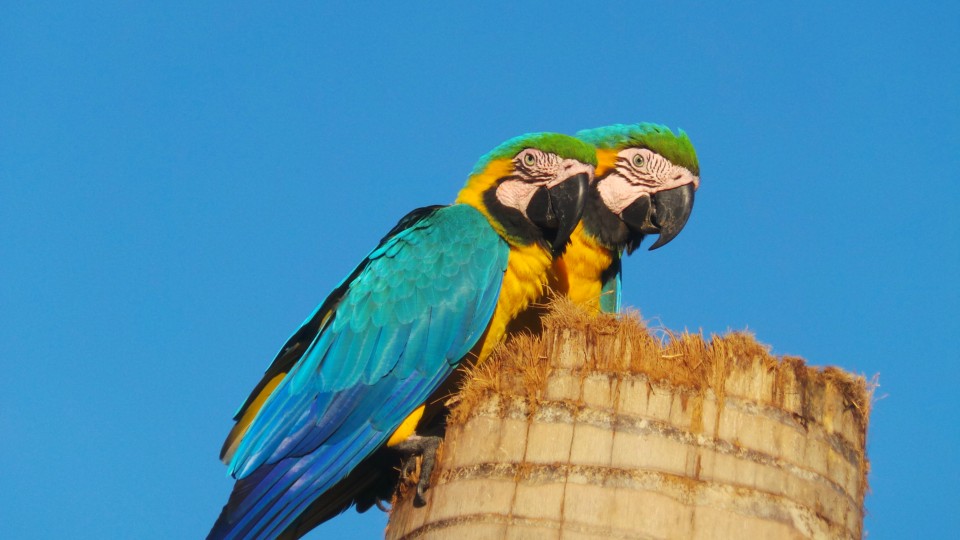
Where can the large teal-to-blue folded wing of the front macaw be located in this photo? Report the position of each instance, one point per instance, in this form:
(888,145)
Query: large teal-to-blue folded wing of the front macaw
(396,328)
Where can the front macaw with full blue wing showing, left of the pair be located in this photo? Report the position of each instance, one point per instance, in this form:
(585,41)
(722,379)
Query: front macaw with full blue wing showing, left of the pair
(355,378)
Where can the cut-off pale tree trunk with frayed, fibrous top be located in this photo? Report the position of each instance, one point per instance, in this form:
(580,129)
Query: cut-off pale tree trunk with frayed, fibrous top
(593,430)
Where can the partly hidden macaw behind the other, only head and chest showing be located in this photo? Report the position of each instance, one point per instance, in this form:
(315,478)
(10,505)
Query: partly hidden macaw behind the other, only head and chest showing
(645,181)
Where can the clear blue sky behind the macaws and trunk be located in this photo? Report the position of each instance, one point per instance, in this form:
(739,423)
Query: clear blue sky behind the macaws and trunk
(181,184)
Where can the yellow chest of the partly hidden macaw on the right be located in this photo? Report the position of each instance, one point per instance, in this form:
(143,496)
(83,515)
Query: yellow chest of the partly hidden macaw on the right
(578,274)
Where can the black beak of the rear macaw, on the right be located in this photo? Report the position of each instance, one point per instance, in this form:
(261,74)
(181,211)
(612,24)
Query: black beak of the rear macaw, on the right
(664,213)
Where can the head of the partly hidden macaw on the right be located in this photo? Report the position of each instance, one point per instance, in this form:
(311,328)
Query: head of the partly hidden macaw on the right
(645,180)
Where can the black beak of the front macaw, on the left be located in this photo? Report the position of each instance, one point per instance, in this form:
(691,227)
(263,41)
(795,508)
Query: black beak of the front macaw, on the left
(557,210)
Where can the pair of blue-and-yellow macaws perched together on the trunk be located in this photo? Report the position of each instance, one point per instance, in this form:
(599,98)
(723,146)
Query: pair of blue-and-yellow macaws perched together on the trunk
(349,393)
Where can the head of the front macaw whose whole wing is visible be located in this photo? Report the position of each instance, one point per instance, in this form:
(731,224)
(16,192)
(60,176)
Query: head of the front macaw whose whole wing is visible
(532,188)
